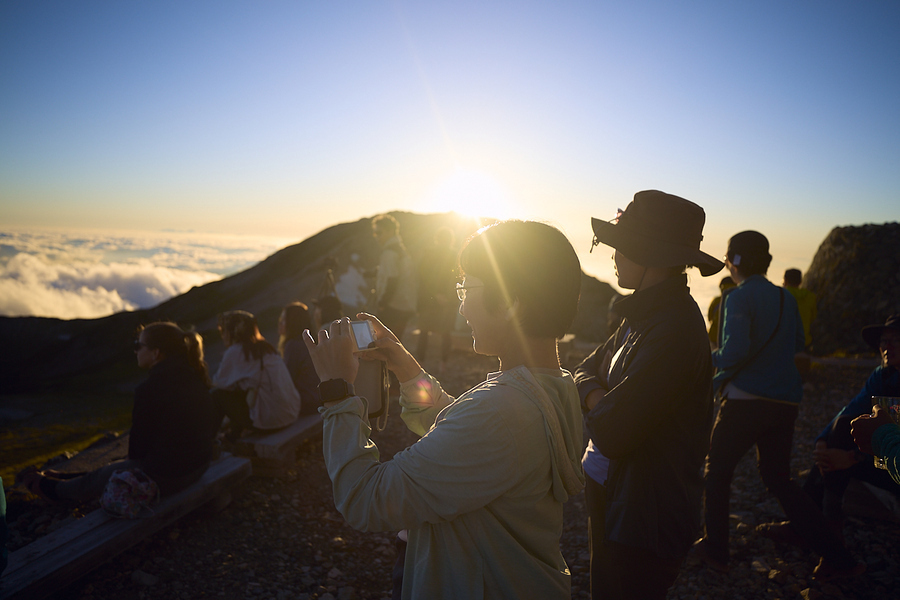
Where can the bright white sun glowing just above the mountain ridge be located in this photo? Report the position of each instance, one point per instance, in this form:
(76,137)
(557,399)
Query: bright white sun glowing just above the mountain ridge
(471,193)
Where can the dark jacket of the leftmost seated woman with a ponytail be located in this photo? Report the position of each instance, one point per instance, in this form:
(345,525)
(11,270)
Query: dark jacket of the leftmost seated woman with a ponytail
(173,421)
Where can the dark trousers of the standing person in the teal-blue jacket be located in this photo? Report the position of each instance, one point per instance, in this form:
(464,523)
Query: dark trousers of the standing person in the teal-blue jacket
(770,426)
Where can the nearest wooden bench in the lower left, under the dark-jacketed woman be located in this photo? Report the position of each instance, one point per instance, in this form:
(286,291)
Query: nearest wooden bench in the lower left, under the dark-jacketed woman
(59,558)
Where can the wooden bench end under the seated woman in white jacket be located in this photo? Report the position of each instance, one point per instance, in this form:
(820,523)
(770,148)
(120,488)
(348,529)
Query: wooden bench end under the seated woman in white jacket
(273,453)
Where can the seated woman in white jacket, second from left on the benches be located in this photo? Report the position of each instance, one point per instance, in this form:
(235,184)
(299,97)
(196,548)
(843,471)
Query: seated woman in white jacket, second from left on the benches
(253,387)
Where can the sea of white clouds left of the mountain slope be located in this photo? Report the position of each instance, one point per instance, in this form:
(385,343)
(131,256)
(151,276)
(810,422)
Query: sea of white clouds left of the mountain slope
(78,274)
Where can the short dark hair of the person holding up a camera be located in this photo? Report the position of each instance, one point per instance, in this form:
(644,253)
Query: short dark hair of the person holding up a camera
(530,262)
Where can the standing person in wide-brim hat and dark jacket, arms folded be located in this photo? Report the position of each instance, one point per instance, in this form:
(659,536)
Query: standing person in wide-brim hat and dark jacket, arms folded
(647,397)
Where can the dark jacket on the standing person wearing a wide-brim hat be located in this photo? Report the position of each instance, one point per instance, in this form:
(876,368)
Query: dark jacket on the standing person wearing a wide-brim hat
(655,420)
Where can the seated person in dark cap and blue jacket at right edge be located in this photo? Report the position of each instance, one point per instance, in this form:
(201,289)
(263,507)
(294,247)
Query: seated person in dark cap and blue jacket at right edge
(837,458)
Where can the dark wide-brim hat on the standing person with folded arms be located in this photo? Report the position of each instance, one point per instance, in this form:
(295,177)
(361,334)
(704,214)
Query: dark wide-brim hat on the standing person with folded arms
(659,230)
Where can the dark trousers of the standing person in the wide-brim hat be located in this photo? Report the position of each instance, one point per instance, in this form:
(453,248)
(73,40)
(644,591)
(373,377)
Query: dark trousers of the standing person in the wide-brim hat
(618,571)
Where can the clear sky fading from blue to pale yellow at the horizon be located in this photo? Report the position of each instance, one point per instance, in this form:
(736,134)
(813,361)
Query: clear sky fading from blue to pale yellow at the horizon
(282,118)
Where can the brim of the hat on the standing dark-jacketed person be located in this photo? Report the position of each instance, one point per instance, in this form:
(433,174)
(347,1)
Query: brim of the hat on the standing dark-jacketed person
(654,252)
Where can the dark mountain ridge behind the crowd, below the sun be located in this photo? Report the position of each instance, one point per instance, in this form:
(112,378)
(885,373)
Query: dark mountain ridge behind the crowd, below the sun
(43,354)
